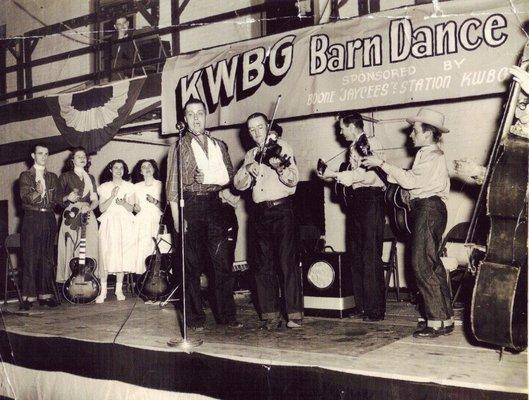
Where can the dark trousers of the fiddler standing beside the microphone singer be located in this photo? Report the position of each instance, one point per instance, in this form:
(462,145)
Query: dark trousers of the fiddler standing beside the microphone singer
(275,239)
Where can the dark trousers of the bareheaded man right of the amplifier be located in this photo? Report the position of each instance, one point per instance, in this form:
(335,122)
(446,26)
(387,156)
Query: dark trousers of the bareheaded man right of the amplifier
(365,214)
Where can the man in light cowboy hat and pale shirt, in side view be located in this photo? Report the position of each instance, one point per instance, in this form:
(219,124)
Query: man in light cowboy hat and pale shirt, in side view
(429,185)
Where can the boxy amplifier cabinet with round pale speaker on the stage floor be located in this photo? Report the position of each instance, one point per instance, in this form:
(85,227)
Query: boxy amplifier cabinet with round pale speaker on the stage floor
(327,285)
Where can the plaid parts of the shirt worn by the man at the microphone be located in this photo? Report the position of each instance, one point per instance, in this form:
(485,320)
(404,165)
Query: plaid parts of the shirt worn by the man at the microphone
(189,165)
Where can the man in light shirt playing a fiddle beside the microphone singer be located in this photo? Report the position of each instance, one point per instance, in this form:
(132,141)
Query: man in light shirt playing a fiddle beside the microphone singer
(272,222)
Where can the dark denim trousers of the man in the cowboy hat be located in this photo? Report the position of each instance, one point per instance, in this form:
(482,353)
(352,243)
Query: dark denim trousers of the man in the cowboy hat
(428,218)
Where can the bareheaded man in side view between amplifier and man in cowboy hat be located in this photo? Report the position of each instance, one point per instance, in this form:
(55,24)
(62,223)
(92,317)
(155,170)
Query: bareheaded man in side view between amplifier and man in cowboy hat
(365,212)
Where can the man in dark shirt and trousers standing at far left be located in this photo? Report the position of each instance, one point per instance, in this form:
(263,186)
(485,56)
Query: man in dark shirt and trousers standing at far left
(40,193)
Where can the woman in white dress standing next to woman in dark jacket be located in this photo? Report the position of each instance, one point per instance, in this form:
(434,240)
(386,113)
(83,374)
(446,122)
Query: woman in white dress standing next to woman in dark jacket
(117,241)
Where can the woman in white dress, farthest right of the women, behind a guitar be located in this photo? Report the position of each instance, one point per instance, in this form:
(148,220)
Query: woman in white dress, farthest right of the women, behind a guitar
(148,194)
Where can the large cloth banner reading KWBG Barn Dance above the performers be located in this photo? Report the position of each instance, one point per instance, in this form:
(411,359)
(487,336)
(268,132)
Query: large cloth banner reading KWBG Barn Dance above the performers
(403,56)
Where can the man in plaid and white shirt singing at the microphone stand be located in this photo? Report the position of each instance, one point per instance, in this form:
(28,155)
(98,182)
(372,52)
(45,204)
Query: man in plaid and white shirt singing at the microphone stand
(207,171)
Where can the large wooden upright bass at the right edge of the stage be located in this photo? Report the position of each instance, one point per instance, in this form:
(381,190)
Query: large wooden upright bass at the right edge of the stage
(499,299)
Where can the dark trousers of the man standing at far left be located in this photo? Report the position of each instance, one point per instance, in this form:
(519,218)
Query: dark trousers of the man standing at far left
(39,230)
